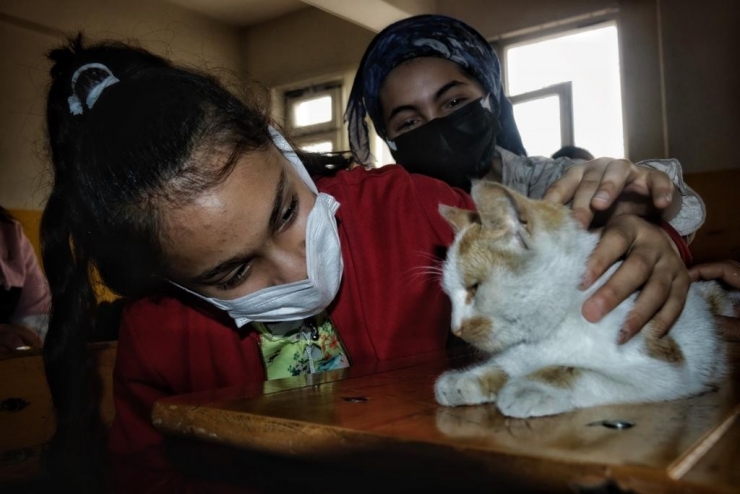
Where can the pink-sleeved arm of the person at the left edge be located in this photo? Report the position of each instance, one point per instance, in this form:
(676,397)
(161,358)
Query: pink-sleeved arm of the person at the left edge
(30,320)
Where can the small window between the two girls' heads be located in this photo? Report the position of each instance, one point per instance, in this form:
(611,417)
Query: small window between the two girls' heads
(313,116)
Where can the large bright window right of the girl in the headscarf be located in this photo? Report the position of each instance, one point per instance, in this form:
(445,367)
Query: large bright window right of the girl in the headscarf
(566,91)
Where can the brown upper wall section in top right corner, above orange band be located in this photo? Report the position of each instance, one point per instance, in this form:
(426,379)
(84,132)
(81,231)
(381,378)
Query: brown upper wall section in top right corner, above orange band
(701,49)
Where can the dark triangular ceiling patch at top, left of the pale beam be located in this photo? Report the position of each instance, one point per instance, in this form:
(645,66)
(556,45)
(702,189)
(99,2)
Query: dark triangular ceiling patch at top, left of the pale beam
(241,12)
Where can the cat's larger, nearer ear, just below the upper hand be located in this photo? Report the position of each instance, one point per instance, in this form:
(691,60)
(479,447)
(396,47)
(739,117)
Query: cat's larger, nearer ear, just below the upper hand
(501,208)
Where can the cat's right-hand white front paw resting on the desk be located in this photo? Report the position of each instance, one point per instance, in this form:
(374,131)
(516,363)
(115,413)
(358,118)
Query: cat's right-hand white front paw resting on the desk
(522,399)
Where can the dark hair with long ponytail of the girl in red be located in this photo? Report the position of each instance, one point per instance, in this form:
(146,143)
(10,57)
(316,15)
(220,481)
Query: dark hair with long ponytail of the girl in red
(129,133)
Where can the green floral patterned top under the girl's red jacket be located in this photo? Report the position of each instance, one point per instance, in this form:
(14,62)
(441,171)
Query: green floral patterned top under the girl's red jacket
(313,345)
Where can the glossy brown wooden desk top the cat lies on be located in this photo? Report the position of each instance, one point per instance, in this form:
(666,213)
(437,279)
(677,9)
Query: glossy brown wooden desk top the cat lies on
(389,410)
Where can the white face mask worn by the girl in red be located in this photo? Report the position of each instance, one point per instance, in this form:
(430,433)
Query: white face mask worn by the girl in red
(324,265)
